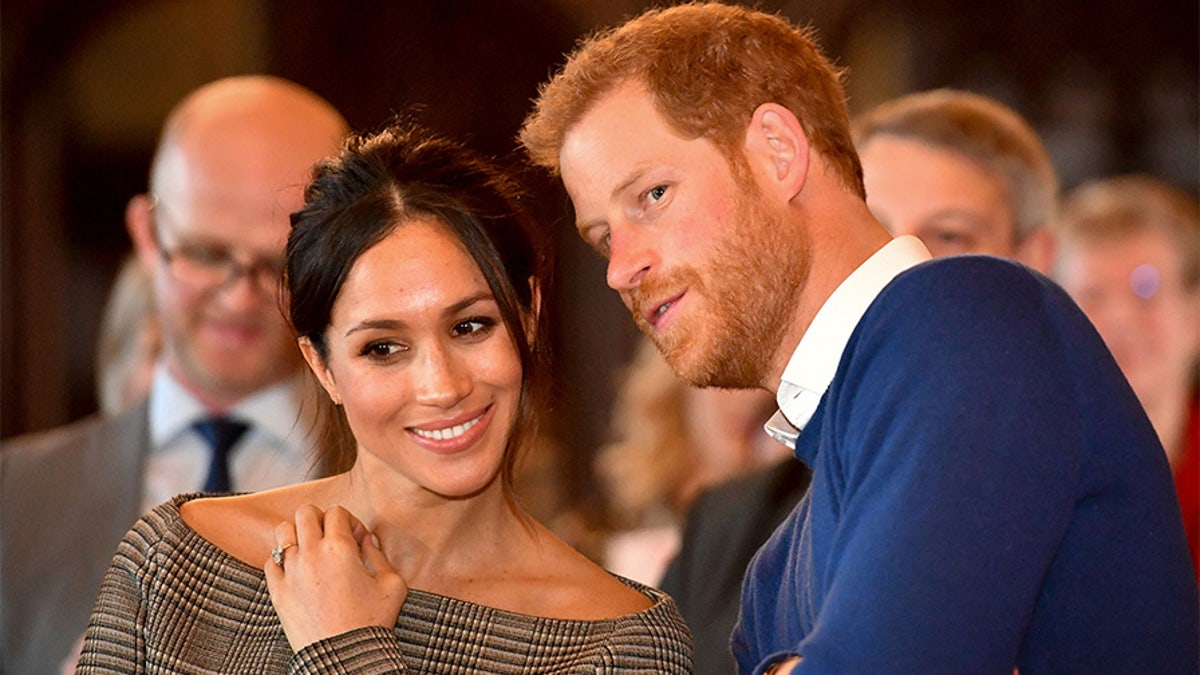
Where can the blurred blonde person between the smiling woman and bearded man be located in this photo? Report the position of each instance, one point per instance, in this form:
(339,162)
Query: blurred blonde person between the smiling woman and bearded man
(669,443)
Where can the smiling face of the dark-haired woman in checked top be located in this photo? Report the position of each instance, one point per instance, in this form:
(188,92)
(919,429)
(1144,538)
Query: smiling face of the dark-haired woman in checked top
(422,362)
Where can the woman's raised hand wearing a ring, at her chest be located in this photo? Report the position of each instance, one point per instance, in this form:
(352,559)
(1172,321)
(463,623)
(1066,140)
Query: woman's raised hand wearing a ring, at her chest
(331,578)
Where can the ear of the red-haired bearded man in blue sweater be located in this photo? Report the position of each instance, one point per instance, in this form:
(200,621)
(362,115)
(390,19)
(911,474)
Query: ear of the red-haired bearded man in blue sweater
(778,151)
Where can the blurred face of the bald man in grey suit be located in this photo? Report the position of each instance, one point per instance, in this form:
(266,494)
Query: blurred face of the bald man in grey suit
(225,342)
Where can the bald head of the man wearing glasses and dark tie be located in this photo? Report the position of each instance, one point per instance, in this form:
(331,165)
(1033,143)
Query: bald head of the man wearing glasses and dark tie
(232,165)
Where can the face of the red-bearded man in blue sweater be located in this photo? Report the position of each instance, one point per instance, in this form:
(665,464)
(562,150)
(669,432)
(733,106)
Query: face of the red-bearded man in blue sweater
(701,264)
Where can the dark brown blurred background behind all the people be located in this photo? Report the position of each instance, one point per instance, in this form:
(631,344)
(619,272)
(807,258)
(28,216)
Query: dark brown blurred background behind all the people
(86,86)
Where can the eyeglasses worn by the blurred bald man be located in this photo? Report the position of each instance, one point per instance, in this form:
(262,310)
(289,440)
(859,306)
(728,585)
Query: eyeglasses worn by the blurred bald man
(209,267)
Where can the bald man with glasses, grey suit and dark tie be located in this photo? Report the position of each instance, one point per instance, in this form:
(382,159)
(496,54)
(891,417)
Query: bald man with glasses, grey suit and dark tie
(229,402)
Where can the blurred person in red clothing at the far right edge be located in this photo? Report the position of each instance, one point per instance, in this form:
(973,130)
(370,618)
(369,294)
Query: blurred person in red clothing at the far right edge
(1130,254)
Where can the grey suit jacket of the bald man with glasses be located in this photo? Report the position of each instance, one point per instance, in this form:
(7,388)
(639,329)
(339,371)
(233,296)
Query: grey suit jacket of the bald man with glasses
(67,499)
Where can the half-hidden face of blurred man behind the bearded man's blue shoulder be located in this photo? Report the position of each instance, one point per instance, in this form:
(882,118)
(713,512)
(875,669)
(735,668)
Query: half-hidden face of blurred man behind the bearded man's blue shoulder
(940,196)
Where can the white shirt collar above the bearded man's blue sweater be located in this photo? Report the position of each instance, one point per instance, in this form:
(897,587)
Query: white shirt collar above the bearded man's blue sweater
(815,361)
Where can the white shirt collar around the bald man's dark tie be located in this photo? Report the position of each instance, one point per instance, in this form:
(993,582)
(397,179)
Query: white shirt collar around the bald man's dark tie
(274,411)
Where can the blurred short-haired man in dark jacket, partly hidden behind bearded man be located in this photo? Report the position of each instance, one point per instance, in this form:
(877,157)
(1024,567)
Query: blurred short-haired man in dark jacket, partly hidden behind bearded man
(967,175)
